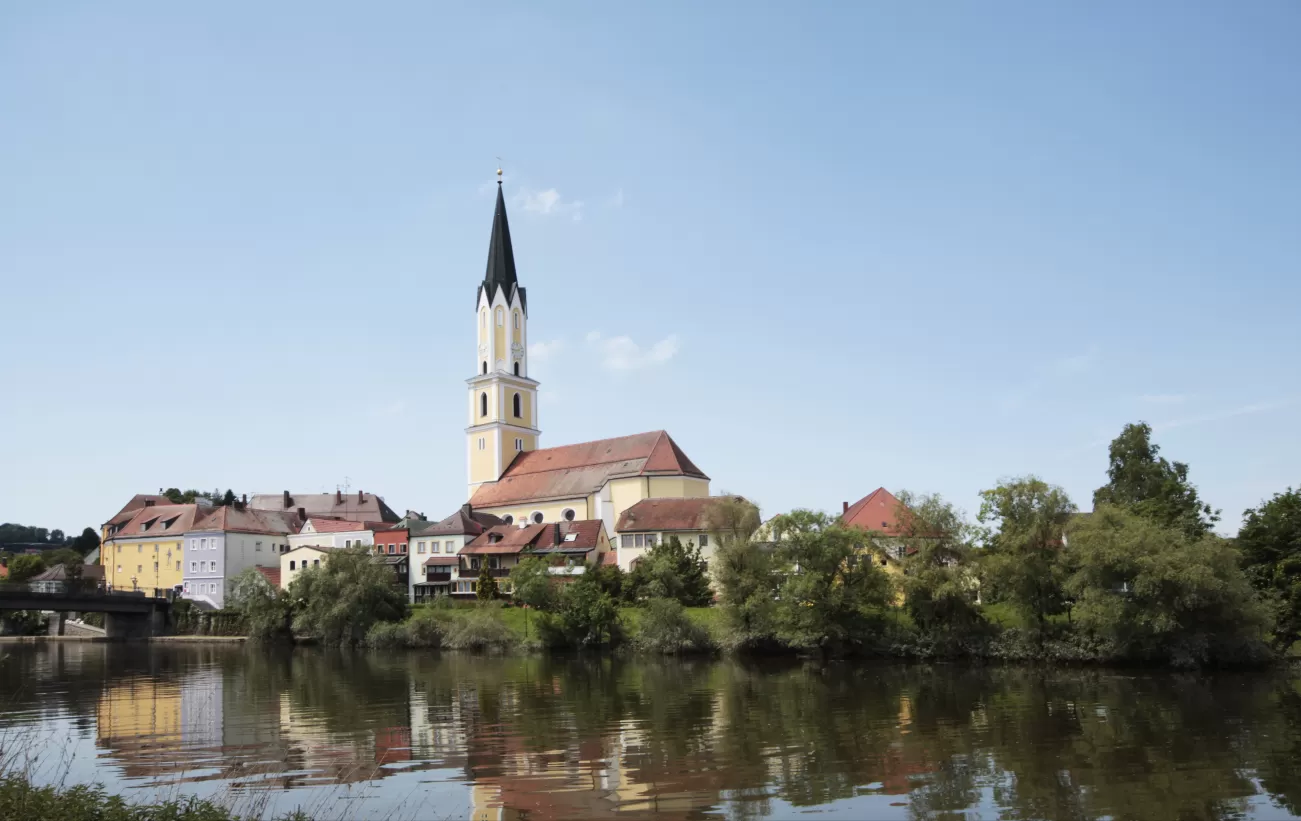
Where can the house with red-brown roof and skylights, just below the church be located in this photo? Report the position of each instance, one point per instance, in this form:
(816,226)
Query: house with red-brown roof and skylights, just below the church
(568,547)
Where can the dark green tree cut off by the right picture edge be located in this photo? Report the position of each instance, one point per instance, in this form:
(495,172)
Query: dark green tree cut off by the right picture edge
(1270,542)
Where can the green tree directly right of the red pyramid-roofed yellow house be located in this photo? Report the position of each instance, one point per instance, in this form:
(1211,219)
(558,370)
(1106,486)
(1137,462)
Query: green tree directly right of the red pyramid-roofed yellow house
(940,582)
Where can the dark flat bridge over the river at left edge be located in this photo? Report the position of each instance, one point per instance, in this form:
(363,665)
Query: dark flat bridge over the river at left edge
(128,615)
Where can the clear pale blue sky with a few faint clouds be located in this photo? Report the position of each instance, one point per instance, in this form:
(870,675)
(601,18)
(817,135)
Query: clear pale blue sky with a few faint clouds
(829,248)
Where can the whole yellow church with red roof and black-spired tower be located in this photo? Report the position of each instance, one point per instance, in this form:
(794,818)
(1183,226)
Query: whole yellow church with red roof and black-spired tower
(511,476)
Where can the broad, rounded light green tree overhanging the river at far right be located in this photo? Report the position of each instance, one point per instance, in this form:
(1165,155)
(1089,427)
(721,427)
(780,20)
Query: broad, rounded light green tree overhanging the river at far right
(1152,593)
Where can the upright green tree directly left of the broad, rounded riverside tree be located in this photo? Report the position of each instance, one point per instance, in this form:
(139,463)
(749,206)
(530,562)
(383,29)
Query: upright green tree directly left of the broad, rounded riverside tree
(1026,518)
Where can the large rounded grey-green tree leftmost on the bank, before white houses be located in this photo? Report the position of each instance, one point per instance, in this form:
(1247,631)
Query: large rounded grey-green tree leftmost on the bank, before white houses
(340,600)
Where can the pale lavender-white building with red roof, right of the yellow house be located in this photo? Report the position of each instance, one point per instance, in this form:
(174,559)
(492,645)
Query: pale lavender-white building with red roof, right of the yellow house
(230,541)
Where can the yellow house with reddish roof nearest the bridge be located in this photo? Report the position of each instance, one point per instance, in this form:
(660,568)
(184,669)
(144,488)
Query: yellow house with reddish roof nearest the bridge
(148,551)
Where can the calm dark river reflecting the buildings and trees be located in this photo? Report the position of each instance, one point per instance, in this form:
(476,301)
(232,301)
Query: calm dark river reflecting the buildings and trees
(422,736)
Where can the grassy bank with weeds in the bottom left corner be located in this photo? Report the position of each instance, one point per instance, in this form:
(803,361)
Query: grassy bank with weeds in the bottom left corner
(21,800)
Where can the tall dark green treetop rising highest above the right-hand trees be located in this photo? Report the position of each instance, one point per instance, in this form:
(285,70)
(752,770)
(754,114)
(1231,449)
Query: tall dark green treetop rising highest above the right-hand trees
(1153,487)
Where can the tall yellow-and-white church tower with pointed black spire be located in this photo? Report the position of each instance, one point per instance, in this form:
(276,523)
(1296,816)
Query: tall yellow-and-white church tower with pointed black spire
(503,399)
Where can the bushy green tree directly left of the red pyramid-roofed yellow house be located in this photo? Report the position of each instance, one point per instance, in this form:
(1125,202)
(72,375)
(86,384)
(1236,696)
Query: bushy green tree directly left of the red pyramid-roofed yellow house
(831,591)
